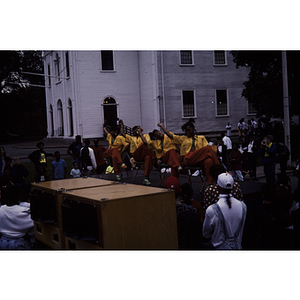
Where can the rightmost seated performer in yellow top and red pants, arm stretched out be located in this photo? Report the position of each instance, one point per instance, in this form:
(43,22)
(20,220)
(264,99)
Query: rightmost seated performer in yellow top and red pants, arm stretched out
(194,148)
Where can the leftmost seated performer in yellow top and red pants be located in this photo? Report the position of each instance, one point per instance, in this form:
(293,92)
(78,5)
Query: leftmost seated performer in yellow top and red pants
(116,145)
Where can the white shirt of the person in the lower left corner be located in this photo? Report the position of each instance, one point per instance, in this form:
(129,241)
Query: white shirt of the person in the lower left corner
(15,221)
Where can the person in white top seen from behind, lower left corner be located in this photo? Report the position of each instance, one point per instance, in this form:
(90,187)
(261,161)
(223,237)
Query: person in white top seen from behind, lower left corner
(16,225)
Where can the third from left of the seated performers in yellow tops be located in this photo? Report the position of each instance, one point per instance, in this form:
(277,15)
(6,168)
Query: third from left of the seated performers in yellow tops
(166,151)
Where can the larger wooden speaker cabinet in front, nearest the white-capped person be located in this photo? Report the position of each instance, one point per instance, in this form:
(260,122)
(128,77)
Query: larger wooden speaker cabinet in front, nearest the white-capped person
(128,216)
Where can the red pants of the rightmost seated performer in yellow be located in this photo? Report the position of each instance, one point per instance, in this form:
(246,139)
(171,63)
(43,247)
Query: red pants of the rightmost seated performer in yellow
(205,157)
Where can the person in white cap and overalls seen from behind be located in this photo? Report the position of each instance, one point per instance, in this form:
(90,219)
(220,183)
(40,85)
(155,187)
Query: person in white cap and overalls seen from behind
(224,221)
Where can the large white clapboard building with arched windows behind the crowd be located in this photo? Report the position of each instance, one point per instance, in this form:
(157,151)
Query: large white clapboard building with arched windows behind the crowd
(85,88)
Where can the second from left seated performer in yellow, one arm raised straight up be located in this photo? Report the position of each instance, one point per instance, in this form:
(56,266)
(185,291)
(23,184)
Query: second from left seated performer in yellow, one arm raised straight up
(139,149)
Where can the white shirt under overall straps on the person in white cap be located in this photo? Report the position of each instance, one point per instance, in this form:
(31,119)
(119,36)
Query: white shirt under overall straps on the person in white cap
(212,225)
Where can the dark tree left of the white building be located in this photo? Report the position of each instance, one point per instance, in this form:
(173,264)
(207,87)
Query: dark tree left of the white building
(22,96)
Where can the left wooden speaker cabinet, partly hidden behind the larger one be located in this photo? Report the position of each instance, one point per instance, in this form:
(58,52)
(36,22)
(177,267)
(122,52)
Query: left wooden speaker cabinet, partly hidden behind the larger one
(52,234)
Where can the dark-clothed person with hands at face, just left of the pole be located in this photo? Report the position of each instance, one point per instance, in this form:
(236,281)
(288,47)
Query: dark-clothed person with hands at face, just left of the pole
(268,157)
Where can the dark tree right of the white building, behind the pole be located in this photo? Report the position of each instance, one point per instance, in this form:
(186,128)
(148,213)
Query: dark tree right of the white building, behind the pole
(264,86)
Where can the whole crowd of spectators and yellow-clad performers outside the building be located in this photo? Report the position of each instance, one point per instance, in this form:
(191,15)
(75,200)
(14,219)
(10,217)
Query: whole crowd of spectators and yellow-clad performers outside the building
(214,222)
